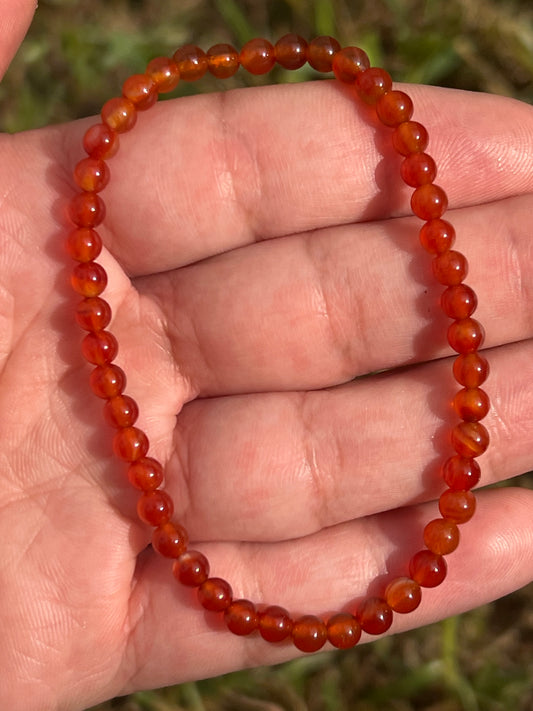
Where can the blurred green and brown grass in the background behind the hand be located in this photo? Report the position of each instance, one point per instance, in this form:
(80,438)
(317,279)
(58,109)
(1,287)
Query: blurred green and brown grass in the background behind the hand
(77,55)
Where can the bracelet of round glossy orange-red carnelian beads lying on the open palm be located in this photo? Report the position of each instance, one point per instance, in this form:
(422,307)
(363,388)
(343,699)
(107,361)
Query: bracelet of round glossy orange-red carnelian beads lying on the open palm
(469,438)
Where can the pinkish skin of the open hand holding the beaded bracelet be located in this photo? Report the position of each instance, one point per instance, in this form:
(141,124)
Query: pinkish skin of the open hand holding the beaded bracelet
(260,256)
